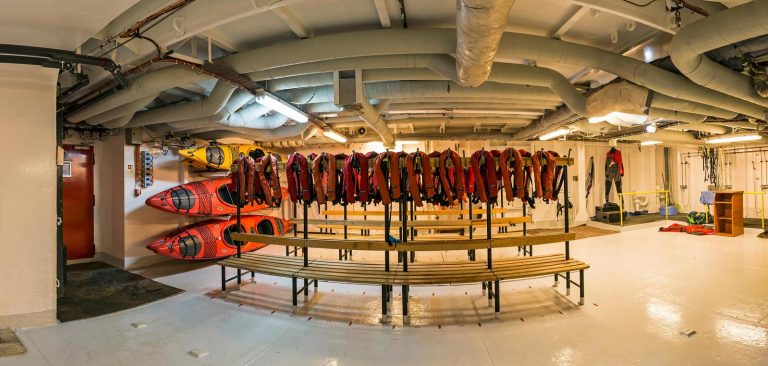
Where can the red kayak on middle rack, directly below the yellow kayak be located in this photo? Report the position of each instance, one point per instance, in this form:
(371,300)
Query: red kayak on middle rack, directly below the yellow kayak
(204,198)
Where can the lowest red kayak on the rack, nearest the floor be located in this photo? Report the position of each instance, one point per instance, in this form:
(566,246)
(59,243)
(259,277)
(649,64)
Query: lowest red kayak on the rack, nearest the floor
(210,239)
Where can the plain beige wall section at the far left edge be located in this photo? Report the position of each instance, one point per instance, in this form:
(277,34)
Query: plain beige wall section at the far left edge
(27,196)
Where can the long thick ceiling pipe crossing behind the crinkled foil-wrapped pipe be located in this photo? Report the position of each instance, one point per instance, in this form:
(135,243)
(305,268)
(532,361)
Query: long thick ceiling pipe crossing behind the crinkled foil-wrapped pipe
(511,46)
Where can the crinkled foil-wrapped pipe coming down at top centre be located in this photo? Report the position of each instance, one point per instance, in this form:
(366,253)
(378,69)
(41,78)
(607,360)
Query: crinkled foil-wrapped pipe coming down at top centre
(479,27)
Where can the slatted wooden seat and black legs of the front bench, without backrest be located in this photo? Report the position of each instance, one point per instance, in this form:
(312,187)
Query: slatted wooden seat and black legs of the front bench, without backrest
(418,274)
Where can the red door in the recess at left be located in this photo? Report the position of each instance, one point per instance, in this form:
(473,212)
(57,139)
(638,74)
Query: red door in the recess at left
(78,201)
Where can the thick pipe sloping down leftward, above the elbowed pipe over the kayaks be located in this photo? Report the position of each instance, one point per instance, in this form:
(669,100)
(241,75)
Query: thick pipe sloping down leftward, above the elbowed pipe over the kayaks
(152,82)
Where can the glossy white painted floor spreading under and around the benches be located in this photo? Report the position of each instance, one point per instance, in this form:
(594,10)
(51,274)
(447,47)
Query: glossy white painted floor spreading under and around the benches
(643,289)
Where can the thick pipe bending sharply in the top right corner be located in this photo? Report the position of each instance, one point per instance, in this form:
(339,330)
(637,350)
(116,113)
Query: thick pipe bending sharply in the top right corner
(717,30)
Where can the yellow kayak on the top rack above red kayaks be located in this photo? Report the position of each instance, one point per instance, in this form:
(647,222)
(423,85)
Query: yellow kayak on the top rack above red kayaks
(220,156)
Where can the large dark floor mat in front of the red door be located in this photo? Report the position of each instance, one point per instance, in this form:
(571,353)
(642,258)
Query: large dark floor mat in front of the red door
(96,288)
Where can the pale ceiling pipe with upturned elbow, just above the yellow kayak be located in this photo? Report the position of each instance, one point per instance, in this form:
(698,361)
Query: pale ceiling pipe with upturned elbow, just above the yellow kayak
(205,107)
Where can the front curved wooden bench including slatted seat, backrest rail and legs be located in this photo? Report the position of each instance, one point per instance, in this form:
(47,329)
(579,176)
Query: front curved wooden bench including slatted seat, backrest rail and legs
(404,274)
